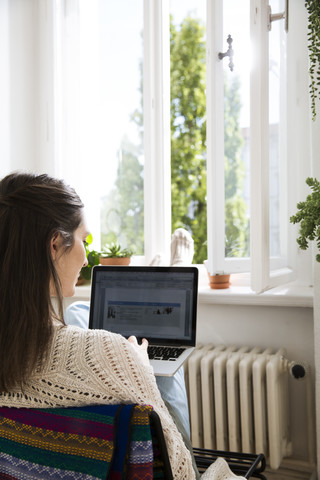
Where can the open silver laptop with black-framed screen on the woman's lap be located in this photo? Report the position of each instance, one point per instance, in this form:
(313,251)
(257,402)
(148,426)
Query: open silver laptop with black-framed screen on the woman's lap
(157,303)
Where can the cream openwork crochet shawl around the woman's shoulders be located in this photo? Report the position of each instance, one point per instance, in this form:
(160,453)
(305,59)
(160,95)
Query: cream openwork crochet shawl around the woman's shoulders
(96,367)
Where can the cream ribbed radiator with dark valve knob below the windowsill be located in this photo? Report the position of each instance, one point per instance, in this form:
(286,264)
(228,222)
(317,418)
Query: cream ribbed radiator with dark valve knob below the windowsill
(238,400)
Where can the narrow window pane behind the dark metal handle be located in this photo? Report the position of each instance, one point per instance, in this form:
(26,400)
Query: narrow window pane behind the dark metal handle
(236,23)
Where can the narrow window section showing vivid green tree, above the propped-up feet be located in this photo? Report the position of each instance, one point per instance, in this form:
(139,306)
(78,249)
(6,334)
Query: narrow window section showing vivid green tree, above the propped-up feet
(188,121)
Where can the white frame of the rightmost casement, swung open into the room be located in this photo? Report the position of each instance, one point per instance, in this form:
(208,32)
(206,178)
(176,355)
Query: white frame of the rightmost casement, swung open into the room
(266,272)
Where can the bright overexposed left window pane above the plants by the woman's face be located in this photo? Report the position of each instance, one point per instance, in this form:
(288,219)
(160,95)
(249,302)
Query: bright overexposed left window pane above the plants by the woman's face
(120,177)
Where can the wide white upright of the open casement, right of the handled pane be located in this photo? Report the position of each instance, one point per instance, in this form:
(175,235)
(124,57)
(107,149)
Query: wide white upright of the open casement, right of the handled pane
(259,108)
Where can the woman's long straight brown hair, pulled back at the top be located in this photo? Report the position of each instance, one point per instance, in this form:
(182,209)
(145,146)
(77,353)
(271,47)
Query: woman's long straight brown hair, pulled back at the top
(33,208)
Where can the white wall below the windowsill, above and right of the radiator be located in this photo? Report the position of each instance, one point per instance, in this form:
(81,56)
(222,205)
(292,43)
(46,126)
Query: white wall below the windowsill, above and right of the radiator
(276,327)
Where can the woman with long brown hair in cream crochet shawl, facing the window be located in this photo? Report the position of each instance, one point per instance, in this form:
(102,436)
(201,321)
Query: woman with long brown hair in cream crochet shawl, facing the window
(43,362)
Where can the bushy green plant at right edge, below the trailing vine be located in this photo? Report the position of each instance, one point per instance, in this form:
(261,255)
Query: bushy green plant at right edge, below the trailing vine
(308,216)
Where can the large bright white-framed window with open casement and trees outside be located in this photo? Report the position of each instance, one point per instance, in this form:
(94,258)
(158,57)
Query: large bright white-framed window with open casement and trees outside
(122,118)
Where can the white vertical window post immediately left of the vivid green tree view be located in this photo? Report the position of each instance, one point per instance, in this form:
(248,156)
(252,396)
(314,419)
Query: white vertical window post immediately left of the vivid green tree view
(157,137)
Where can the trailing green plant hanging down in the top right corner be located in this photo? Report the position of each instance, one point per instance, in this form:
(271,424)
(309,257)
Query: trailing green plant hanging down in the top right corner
(313,8)
